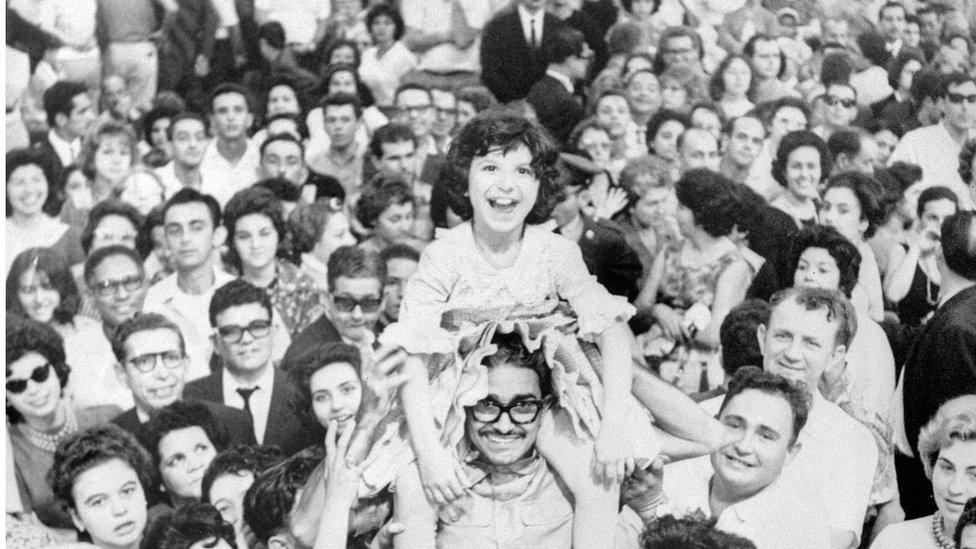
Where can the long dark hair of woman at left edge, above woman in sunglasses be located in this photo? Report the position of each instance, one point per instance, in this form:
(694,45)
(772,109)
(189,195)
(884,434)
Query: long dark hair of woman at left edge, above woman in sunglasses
(55,268)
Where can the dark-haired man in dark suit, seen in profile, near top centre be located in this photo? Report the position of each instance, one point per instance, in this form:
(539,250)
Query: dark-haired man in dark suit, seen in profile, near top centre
(557,109)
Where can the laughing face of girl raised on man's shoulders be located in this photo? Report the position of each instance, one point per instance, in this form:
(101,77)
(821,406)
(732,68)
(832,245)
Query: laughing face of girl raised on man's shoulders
(503,188)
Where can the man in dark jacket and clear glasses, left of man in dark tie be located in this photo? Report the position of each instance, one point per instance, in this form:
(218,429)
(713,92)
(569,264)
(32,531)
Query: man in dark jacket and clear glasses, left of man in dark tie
(152,363)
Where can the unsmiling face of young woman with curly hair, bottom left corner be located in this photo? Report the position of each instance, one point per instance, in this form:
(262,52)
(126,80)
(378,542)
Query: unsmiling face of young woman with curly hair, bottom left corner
(110,504)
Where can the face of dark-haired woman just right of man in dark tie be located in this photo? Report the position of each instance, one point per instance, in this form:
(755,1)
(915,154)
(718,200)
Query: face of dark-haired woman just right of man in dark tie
(336,394)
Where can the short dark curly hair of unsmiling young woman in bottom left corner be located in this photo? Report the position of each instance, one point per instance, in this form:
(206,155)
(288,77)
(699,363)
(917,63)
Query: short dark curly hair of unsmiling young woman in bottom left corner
(94,446)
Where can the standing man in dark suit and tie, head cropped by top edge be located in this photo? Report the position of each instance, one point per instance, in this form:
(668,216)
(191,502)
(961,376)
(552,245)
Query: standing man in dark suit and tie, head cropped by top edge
(510,62)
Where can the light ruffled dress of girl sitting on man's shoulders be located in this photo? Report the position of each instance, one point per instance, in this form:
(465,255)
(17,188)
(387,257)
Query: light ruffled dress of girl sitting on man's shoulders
(456,302)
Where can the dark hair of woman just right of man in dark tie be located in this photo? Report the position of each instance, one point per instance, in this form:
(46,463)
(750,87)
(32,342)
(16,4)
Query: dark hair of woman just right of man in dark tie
(303,366)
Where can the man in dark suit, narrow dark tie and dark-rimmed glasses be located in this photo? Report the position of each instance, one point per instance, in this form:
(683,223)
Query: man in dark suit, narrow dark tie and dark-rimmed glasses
(241,315)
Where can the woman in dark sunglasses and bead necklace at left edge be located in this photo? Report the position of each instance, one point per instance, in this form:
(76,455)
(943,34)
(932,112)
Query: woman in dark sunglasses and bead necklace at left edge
(39,414)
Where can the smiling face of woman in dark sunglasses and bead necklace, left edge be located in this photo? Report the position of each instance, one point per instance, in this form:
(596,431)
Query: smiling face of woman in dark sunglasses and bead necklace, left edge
(40,399)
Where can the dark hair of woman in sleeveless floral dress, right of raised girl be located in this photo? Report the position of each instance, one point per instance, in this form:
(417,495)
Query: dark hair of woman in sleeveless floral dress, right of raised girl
(709,197)
